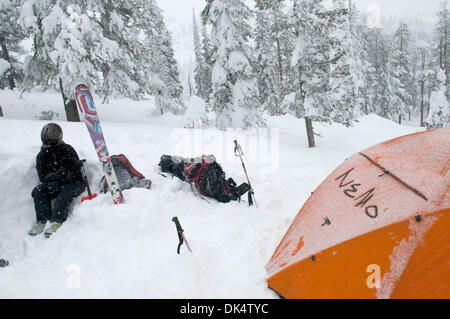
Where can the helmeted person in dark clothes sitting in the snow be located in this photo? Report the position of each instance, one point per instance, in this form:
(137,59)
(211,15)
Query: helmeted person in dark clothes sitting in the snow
(60,178)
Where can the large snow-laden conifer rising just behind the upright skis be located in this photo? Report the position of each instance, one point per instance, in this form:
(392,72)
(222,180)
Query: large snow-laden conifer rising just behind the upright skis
(67,44)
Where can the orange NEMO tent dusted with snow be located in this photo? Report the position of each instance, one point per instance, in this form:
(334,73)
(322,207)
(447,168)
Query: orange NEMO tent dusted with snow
(377,227)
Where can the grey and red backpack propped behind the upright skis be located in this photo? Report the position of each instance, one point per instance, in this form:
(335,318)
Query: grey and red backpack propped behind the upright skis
(127,175)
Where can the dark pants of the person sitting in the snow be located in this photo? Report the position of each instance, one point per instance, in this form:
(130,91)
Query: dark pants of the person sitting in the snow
(43,205)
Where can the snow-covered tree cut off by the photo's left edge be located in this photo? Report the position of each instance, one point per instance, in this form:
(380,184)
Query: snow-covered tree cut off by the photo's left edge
(10,36)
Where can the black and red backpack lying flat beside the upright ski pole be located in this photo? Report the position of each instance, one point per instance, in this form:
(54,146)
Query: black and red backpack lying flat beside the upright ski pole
(206,175)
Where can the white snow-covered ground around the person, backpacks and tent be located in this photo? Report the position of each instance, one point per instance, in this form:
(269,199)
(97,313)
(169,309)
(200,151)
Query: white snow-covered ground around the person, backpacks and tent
(129,250)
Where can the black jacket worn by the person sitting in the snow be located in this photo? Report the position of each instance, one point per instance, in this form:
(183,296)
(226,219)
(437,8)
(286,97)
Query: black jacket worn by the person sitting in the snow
(58,163)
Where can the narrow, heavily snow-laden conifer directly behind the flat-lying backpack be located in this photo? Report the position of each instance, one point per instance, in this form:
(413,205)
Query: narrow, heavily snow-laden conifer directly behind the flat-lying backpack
(235,93)
